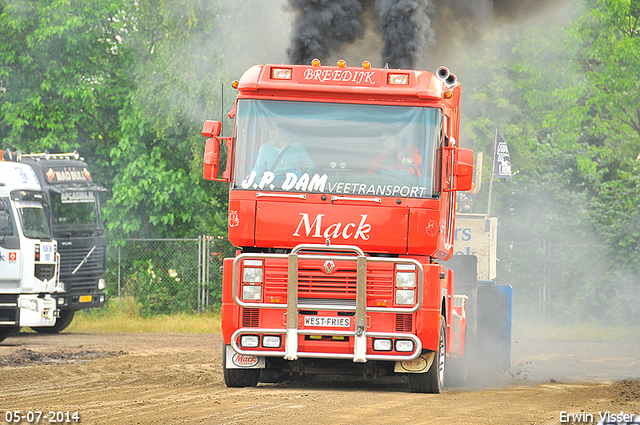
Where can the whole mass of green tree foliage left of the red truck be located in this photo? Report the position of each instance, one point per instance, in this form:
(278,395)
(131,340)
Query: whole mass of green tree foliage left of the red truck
(128,84)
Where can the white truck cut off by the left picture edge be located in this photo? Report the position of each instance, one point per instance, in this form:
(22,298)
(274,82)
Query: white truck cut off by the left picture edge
(29,261)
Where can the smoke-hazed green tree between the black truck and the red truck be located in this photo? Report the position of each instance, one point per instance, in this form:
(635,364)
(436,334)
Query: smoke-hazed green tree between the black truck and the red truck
(158,187)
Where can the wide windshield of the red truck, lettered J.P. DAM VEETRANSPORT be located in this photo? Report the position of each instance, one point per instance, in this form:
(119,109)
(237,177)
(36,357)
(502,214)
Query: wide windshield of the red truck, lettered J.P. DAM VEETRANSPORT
(333,148)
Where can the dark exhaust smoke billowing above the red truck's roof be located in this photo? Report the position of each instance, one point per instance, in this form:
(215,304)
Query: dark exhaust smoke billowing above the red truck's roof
(321,26)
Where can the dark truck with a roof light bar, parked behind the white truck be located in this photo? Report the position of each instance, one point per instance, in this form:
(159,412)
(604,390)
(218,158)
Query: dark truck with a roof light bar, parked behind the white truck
(74,215)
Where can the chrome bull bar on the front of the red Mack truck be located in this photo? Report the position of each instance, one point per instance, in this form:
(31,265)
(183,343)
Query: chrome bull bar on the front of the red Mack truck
(360,308)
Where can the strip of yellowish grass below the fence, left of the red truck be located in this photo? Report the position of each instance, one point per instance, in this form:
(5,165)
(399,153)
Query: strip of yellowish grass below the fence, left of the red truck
(124,316)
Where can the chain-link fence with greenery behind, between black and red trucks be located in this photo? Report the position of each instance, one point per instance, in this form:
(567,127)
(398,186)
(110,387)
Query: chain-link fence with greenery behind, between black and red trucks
(168,275)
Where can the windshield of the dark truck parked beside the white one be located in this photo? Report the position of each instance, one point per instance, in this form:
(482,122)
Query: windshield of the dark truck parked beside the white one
(75,211)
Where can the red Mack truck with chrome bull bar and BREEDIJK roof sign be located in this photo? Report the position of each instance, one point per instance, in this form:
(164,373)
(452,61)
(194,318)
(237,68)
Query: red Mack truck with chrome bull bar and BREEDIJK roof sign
(343,184)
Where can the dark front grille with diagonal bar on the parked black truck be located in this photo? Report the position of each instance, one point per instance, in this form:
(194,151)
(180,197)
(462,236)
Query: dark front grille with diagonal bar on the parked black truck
(85,278)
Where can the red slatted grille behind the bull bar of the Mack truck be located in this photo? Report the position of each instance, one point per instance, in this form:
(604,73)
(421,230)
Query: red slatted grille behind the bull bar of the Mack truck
(316,286)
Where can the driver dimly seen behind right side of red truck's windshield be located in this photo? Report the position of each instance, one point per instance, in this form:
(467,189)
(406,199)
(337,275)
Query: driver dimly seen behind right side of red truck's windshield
(395,155)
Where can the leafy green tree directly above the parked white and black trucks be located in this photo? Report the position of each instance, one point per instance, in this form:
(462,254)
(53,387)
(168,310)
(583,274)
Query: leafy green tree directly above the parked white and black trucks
(63,77)
